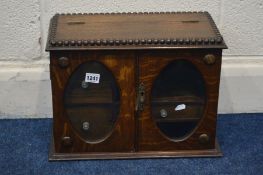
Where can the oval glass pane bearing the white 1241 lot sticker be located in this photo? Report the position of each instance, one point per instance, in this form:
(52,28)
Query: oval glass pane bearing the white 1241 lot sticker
(92,101)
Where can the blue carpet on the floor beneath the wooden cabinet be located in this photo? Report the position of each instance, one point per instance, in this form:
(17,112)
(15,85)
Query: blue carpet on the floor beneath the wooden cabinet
(24,150)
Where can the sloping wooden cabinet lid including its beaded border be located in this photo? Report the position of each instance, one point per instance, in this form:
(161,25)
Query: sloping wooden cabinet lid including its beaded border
(165,30)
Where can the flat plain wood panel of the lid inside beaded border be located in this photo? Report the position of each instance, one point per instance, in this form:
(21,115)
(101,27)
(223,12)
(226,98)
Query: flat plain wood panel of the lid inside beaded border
(132,26)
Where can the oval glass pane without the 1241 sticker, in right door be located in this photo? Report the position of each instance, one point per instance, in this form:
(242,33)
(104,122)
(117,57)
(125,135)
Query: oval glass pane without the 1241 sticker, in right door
(178,99)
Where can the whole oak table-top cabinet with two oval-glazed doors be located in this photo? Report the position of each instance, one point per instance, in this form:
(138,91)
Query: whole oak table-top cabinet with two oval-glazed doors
(134,85)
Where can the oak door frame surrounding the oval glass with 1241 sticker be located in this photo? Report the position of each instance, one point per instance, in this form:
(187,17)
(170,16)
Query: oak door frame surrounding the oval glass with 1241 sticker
(122,67)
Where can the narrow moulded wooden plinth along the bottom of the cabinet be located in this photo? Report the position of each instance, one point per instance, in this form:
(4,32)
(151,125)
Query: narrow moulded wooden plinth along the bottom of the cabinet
(53,156)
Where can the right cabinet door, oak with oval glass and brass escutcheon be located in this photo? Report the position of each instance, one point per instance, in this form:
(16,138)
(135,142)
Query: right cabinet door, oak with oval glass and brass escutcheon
(180,107)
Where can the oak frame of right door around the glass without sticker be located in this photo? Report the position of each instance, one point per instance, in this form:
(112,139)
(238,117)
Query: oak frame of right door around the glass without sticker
(151,63)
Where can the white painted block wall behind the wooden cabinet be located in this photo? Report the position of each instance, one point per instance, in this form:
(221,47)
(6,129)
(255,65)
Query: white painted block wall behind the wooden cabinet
(24,75)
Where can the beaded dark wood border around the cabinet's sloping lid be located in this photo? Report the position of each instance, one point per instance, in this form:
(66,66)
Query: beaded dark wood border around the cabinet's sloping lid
(173,42)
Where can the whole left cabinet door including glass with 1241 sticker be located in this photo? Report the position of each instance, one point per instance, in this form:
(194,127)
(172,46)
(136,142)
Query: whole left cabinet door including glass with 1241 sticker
(94,102)
